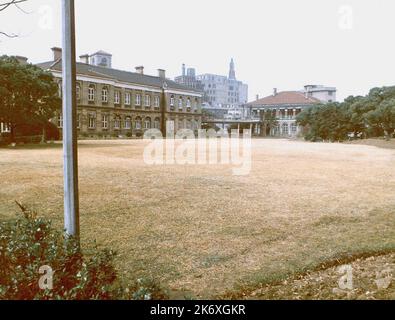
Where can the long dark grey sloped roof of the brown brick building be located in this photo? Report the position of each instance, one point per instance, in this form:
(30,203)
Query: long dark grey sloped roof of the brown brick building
(117,75)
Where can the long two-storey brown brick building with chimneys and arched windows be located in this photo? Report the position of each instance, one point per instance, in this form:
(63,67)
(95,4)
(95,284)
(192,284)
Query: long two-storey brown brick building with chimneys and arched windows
(113,103)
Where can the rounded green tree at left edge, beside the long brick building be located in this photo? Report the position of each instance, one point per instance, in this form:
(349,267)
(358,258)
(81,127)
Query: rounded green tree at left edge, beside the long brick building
(28,95)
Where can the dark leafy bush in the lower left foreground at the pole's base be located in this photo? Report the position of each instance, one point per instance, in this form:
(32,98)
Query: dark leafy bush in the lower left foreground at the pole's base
(30,243)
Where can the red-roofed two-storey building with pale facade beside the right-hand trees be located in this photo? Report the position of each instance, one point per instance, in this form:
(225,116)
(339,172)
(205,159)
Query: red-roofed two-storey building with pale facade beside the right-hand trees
(283,107)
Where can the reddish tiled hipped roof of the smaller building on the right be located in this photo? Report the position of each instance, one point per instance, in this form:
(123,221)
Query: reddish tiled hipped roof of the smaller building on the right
(285,98)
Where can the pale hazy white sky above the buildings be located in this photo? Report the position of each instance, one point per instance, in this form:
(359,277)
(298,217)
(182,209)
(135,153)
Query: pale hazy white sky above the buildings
(286,44)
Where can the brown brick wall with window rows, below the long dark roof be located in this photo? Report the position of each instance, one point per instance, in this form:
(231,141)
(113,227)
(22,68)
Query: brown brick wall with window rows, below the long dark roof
(109,119)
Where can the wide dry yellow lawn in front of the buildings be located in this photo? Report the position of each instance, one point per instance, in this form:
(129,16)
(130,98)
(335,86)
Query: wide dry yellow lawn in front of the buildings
(202,230)
